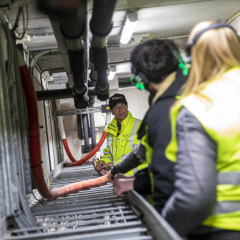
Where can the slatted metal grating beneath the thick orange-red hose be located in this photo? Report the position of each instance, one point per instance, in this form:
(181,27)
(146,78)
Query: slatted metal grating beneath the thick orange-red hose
(90,214)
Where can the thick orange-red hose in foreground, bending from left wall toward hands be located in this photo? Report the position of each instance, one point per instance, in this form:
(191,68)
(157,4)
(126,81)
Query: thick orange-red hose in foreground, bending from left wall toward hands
(34,139)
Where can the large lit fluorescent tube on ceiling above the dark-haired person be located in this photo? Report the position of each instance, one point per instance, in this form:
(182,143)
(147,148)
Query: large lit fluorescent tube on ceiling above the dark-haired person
(129,27)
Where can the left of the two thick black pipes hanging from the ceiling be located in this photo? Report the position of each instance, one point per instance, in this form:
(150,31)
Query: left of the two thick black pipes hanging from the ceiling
(71,21)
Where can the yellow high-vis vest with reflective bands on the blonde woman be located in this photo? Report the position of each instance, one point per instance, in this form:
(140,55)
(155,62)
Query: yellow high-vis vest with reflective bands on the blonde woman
(219,114)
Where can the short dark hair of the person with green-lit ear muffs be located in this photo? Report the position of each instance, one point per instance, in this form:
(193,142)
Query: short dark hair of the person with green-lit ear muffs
(155,59)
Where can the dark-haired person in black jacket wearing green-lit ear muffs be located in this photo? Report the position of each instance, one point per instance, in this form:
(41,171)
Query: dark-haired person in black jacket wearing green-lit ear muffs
(156,66)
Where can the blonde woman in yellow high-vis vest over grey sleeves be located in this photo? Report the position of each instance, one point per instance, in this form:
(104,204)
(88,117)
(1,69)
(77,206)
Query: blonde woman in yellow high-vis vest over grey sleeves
(205,140)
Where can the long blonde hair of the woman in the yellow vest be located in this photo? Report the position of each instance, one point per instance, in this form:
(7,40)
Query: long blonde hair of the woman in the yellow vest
(215,52)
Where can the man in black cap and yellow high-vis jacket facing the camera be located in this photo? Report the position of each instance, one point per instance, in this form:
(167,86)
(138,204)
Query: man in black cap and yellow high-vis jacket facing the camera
(122,135)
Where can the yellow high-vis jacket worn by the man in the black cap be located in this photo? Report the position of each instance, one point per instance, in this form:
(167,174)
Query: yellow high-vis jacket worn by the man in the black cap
(119,146)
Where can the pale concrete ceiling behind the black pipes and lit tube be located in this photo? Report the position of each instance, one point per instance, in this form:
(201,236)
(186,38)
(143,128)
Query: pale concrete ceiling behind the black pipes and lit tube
(157,19)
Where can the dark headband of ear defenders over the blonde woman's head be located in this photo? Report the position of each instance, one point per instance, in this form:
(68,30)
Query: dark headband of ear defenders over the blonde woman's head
(199,34)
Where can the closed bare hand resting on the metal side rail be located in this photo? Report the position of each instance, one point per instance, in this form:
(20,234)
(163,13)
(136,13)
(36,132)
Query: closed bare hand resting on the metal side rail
(122,184)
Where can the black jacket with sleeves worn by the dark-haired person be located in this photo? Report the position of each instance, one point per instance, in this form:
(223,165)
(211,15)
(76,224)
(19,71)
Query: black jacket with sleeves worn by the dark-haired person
(157,119)
